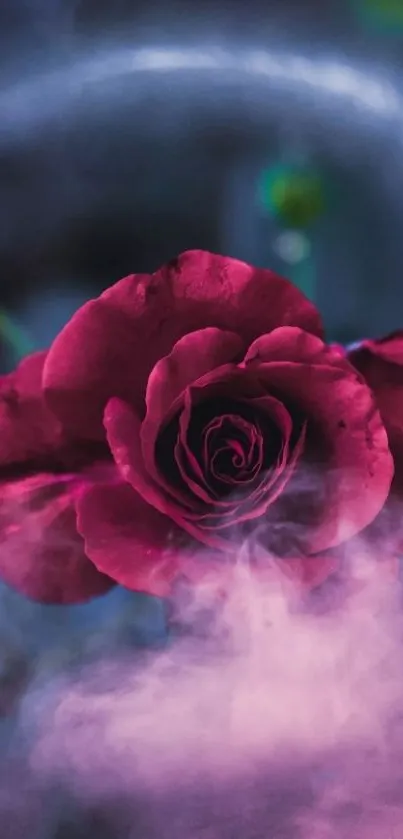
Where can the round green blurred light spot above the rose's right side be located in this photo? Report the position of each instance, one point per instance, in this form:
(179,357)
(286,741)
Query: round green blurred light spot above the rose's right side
(295,195)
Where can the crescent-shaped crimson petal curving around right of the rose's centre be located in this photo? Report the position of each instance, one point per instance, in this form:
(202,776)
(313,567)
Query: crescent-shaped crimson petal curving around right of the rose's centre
(358,470)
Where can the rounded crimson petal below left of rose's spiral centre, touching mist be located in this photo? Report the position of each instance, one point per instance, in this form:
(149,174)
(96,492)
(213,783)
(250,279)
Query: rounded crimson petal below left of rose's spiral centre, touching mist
(129,540)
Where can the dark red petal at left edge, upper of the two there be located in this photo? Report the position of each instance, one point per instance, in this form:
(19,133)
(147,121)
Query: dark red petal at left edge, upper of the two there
(28,429)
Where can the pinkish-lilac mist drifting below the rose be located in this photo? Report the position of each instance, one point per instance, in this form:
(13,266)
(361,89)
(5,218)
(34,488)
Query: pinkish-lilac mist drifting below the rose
(260,715)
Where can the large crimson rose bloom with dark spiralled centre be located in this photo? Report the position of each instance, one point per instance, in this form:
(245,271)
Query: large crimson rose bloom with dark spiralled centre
(209,408)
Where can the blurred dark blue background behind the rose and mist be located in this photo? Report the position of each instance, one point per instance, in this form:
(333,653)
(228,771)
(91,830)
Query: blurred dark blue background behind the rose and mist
(132,130)
